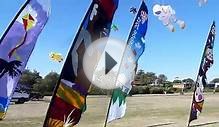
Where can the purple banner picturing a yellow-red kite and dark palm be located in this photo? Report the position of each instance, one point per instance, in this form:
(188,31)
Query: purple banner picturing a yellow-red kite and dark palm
(17,44)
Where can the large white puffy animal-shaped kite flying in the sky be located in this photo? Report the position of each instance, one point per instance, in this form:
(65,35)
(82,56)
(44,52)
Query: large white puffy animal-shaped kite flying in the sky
(167,15)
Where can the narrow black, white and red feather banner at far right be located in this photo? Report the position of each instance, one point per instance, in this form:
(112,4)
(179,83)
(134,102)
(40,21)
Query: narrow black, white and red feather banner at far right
(201,82)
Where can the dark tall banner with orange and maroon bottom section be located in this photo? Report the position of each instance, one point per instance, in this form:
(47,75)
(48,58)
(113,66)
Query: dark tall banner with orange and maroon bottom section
(69,98)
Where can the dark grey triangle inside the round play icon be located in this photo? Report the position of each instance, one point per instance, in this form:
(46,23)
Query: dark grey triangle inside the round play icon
(109,63)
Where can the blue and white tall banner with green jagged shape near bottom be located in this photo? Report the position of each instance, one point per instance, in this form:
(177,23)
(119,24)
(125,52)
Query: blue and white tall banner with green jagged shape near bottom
(137,44)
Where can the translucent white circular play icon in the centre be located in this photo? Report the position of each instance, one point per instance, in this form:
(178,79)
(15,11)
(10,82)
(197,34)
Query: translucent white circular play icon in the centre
(109,63)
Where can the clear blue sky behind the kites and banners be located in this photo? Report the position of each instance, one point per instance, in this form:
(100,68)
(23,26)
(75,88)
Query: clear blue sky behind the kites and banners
(175,54)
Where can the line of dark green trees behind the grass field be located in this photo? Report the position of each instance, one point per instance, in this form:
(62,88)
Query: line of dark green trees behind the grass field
(144,83)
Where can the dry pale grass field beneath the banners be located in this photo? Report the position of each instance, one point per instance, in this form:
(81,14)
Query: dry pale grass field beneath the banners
(142,111)
